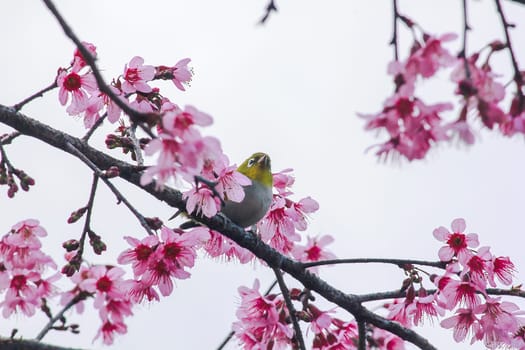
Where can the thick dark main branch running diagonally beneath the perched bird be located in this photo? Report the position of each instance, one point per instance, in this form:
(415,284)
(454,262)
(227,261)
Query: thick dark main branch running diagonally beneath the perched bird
(273,258)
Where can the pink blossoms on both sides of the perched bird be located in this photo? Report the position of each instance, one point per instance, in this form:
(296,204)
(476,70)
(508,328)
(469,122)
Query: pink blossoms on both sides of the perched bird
(278,228)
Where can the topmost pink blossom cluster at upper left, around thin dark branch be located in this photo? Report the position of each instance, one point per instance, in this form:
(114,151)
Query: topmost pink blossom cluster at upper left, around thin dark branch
(78,83)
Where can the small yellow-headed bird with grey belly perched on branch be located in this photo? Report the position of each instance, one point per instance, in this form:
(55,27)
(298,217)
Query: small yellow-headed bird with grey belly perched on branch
(257,196)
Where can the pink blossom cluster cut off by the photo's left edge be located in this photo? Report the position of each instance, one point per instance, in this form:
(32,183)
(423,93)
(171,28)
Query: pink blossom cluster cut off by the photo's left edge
(22,267)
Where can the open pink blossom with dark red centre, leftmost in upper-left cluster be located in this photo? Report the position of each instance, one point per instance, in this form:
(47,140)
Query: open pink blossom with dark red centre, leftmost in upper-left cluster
(78,86)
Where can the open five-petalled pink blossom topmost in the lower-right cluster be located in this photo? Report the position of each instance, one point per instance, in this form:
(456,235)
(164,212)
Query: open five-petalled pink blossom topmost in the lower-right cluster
(458,243)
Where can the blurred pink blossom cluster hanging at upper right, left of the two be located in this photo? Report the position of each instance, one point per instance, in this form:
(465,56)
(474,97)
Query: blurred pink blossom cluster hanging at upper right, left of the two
(413,126)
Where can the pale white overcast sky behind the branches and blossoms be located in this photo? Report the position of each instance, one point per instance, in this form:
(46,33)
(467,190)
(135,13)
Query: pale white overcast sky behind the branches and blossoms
(291,88)
